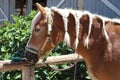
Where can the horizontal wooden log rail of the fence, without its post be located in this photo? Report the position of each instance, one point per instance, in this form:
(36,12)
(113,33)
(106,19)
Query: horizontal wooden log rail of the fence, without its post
(9,65)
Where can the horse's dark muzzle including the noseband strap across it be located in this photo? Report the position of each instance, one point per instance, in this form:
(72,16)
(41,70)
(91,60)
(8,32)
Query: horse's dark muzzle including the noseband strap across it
(31,55)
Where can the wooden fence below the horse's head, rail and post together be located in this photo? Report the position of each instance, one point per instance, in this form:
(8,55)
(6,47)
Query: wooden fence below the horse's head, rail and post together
(28,70)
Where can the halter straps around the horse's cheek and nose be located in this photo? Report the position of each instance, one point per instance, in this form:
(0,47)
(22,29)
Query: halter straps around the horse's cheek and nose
(49,21)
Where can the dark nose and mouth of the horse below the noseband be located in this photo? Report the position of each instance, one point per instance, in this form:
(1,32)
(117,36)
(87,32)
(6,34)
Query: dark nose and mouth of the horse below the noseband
(31,57)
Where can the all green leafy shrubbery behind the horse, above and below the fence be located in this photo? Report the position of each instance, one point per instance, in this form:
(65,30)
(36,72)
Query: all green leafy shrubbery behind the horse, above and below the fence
(13,39)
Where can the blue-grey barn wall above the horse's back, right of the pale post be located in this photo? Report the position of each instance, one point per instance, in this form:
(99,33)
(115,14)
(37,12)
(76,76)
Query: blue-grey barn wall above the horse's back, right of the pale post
(98,7)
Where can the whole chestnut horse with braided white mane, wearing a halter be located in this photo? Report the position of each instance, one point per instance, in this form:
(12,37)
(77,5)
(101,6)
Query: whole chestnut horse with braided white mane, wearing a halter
(94,37)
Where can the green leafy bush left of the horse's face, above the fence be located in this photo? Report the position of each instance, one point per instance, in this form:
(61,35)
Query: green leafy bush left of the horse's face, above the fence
(14,36)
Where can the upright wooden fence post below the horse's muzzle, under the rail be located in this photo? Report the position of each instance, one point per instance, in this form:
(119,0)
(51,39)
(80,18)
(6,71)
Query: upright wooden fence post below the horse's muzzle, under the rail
(28,73)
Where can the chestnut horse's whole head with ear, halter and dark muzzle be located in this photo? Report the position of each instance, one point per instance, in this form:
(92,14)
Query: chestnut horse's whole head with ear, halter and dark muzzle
(39,42)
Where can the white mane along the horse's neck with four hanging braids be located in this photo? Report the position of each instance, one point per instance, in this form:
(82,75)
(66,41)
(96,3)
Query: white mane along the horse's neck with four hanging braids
(77,15)
